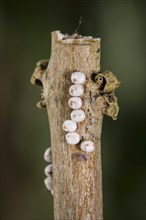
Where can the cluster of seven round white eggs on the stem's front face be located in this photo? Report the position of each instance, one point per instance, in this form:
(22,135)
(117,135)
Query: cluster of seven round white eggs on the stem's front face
(77,115)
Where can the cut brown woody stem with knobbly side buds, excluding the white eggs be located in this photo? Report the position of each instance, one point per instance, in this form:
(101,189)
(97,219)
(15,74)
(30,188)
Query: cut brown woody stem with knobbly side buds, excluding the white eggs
(77,175)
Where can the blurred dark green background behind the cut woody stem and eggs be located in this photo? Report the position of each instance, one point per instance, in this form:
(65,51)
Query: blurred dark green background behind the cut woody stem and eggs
(25,38)
